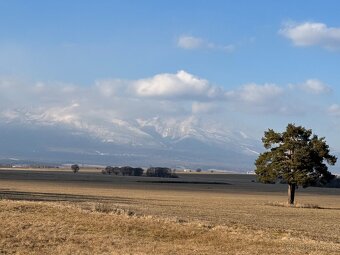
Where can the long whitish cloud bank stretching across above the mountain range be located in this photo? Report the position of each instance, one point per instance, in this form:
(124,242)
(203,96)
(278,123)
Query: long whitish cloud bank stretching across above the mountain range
(175,96)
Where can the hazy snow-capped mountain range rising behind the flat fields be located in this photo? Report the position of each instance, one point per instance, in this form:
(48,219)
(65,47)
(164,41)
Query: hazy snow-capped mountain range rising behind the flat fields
(189,142)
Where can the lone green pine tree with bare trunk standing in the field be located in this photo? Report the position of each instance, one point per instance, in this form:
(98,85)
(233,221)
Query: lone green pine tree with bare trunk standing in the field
(296,156)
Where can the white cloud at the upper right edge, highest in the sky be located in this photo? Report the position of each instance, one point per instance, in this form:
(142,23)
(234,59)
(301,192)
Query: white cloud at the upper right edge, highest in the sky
(310,34)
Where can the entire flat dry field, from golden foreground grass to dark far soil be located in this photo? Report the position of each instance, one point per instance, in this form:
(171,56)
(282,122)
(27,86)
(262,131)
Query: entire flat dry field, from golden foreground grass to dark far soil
(58,212)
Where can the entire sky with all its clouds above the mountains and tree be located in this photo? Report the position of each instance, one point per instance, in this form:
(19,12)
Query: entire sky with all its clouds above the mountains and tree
(249,65)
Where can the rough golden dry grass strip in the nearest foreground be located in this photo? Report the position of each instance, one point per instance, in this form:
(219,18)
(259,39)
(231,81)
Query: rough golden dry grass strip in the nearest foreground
(30,227)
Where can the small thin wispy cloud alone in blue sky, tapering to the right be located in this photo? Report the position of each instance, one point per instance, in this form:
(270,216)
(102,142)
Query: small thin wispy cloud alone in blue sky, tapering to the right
(191,43)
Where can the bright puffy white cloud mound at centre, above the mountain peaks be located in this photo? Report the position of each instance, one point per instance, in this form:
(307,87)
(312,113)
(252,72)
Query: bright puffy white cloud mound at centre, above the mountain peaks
(181,85)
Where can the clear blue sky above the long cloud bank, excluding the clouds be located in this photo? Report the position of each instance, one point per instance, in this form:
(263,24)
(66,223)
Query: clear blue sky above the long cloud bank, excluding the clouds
(81,41)
